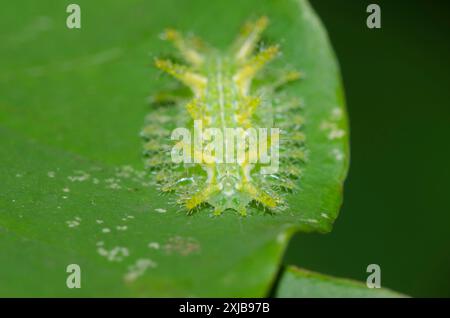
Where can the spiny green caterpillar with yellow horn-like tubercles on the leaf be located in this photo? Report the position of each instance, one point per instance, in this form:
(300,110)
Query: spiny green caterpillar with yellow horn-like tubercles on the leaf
(229,91)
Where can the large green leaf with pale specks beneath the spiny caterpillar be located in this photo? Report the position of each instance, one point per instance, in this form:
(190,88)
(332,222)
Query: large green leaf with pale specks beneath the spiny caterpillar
(72,103)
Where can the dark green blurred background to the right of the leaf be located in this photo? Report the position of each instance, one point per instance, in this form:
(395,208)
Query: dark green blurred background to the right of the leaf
(396,210)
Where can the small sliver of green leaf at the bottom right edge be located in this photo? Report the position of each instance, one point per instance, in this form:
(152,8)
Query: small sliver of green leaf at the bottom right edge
(296,282)
